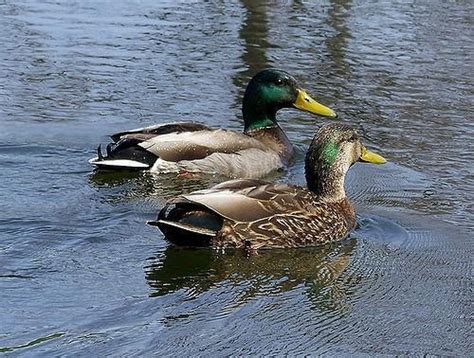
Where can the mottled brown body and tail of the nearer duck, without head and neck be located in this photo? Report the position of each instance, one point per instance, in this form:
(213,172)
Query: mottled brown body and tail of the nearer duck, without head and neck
(255,214)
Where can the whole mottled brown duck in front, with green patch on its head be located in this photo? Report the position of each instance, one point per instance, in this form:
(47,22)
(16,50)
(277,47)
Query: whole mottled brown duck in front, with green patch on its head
(255,214)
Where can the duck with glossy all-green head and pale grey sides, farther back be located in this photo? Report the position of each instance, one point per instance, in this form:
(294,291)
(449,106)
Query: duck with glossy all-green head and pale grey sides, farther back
(190,147)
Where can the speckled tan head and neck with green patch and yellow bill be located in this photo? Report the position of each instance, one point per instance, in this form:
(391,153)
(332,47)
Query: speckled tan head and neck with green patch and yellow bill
(334,149)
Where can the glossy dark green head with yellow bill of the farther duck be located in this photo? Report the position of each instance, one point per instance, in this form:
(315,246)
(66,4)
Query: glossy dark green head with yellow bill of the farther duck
(271,90)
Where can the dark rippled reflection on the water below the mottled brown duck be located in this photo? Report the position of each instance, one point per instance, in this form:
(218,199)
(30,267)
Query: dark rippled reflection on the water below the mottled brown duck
(267,272)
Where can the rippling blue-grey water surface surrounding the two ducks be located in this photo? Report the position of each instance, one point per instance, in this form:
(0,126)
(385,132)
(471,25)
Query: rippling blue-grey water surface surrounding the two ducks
(80,272)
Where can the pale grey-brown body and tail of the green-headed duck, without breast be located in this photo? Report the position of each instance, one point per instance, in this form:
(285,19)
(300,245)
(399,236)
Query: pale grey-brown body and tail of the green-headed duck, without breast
(181,147)
